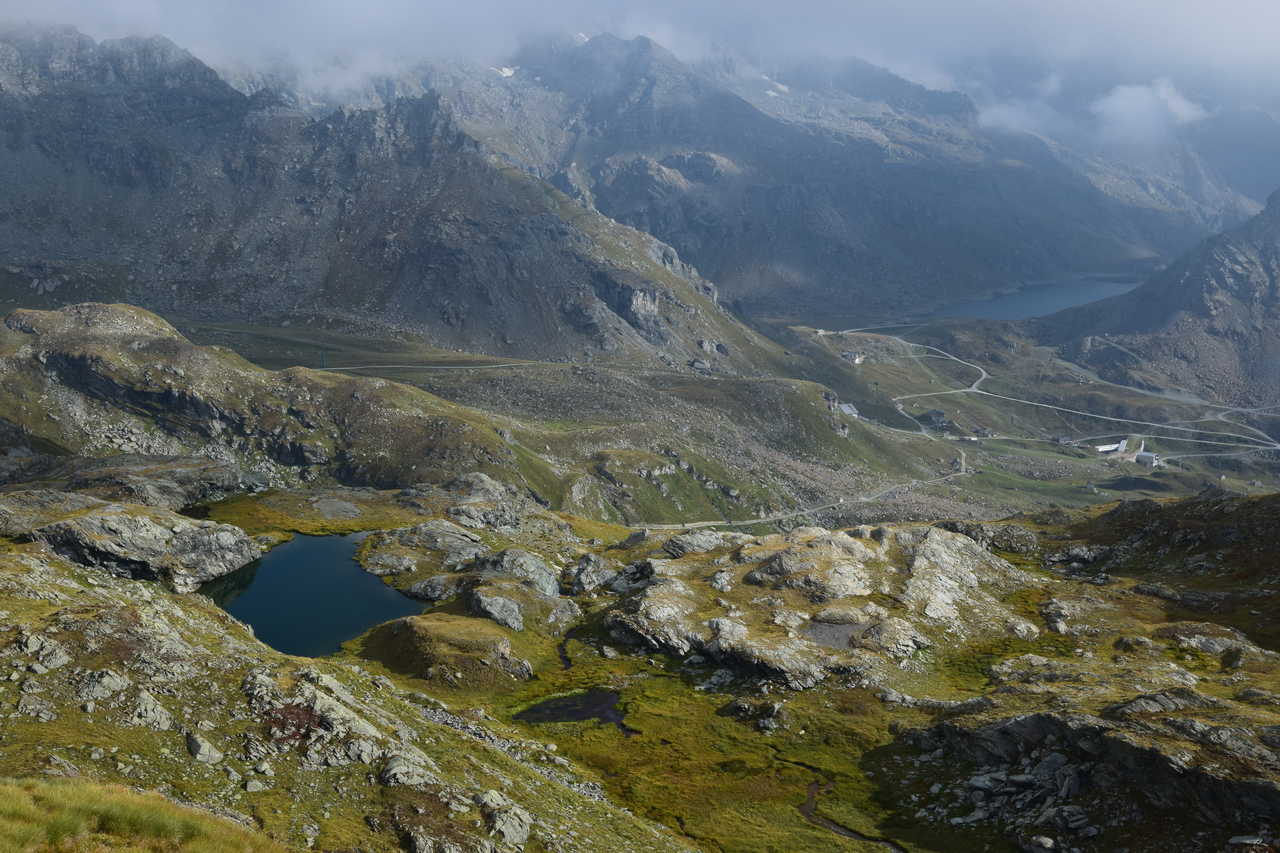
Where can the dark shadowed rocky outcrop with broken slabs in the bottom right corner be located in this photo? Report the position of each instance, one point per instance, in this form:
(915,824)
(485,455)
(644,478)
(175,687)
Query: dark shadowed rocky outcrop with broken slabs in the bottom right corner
(1071,778)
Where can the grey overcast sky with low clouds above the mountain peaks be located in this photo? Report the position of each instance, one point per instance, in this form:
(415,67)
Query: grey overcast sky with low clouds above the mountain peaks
(1137,66)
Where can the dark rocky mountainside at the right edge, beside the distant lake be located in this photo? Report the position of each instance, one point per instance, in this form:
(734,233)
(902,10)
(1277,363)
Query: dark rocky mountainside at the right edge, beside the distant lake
(1209,323)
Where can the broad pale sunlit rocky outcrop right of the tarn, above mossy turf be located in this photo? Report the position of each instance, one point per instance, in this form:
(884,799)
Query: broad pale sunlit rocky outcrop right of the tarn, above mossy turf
(947,592)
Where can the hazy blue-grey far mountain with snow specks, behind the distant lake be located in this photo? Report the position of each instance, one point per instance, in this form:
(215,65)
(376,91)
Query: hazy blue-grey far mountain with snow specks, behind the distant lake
(854,193)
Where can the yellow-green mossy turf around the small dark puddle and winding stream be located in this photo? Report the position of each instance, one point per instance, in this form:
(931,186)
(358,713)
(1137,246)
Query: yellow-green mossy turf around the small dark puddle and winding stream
(682,760)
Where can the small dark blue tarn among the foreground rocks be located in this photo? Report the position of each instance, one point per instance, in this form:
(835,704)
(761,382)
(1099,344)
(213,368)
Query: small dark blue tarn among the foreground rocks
(309,596)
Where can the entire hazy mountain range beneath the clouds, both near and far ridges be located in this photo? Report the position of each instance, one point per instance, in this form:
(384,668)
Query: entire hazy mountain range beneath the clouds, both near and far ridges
(426,203)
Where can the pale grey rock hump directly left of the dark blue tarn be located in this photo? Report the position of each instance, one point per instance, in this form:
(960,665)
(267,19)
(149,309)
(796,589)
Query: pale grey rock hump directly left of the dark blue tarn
(153,546)
